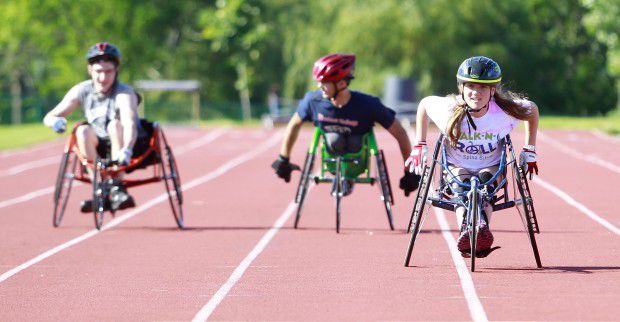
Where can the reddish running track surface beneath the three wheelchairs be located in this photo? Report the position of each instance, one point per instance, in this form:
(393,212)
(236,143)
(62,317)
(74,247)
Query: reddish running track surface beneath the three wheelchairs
(146,269)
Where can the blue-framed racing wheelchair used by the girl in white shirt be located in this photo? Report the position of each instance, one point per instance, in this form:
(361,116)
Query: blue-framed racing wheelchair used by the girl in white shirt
(435,190)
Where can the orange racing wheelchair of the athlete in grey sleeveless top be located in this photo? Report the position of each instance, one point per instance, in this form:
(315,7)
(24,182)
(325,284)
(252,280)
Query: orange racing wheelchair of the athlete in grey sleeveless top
(152,151)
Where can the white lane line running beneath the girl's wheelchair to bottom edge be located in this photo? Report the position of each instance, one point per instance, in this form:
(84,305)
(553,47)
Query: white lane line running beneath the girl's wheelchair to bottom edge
(476,310)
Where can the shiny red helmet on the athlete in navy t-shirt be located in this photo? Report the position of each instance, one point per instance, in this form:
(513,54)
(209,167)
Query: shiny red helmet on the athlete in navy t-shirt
(333,67)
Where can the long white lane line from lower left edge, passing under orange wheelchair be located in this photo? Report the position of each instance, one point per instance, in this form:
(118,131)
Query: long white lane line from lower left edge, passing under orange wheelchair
(149,204)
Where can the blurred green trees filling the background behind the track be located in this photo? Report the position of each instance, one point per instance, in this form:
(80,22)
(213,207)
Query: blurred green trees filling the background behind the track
(564,54)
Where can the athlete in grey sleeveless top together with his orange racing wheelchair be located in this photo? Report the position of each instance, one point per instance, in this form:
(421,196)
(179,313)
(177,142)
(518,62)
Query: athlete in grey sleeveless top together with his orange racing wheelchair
(111,142)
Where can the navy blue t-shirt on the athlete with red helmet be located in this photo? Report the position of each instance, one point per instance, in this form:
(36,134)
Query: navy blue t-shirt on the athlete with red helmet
(357,117)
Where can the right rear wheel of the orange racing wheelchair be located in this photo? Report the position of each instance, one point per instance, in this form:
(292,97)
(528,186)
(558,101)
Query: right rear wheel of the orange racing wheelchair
(172,181)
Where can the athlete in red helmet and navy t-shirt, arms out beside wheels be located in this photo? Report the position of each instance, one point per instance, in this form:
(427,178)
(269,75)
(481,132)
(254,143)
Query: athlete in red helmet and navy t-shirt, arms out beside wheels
(344,117)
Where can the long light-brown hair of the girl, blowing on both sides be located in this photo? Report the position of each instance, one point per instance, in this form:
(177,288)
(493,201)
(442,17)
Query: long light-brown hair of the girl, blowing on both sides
(506,100)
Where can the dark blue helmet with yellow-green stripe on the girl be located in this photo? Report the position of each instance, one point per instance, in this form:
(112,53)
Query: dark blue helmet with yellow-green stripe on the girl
(479,69)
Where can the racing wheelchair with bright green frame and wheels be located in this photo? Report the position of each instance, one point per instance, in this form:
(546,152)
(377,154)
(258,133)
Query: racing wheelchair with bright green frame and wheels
(336,169)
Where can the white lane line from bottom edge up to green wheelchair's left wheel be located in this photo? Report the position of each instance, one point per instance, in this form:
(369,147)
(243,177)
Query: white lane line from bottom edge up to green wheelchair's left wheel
(206,311)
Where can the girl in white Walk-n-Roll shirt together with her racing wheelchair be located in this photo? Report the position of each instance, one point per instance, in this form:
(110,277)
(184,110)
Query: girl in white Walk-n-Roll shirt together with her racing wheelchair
(475,126)
